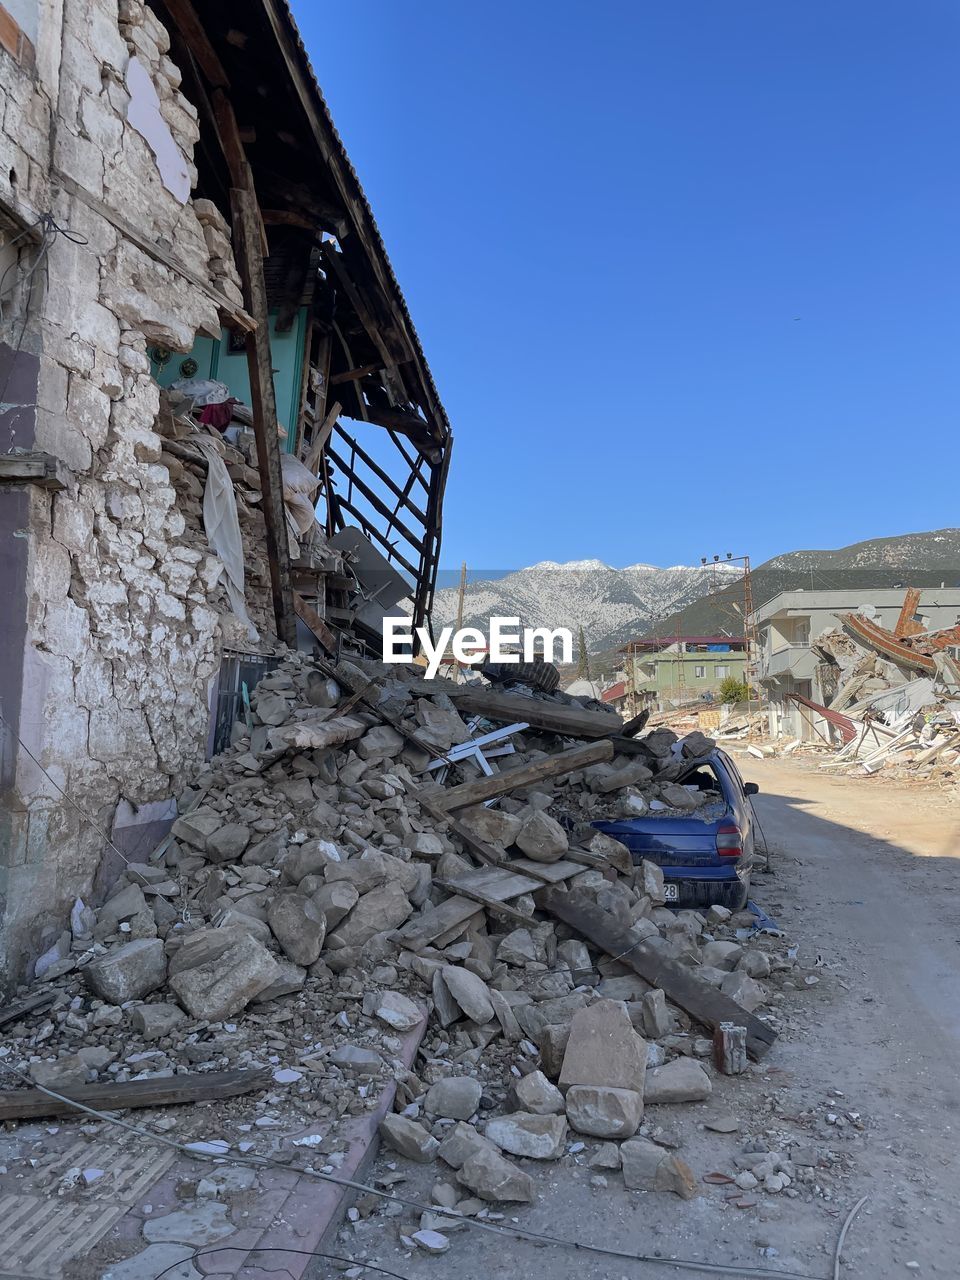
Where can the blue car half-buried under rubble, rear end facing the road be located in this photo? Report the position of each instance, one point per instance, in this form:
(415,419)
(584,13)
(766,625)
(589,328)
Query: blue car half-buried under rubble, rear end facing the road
(706,856)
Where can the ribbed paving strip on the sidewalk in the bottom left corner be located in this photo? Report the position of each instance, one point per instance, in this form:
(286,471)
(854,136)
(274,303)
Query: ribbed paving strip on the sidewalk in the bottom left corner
(42,1233)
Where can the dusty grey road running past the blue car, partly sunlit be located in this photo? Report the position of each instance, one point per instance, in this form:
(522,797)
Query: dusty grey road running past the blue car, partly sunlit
(865,877)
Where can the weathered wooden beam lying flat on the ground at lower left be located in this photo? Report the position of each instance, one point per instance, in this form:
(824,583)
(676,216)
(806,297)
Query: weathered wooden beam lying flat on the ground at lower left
(168,1091)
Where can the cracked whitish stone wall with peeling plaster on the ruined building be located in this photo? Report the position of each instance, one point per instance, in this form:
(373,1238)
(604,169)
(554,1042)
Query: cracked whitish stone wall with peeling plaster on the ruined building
(122,618)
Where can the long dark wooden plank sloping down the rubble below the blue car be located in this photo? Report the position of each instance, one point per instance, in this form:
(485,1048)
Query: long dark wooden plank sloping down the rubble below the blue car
(679,984)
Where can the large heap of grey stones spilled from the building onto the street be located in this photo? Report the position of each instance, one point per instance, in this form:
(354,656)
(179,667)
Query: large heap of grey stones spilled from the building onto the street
(309,912)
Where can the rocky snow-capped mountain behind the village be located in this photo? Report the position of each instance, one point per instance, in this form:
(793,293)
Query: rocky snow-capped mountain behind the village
(611,605)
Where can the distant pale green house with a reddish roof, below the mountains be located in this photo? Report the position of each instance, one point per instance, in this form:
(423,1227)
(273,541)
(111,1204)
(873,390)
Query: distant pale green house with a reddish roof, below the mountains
(671,671)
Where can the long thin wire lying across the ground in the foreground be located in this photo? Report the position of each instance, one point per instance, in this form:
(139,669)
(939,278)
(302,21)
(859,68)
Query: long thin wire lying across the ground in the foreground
(514,1232)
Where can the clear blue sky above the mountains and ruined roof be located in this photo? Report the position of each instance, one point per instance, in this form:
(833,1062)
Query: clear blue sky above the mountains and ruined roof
(685,271)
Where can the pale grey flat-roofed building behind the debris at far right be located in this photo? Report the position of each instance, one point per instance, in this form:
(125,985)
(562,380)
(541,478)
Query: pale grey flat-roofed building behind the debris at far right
(790,624)
